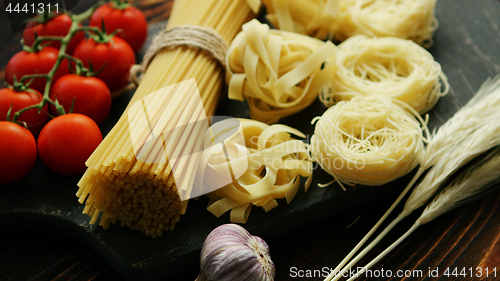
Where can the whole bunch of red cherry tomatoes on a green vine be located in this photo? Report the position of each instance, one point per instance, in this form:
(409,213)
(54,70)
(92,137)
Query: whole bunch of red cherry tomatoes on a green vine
(55,110)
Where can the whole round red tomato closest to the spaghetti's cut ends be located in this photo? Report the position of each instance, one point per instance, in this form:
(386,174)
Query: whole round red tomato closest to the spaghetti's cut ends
(67,141)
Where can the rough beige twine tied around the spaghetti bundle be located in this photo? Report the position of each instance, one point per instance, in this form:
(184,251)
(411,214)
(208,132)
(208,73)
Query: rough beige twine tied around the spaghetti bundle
(199,37)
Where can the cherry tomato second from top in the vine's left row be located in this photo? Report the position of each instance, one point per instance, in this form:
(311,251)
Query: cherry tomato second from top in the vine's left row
(41,62)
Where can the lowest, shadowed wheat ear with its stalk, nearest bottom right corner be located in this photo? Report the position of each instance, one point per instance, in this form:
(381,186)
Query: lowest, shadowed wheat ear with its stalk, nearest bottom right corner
(477,180)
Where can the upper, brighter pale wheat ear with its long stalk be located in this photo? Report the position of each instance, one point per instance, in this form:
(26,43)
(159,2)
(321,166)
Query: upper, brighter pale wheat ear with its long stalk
(456,142)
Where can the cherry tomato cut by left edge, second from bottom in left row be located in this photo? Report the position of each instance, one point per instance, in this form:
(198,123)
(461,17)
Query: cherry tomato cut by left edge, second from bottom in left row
(19,100)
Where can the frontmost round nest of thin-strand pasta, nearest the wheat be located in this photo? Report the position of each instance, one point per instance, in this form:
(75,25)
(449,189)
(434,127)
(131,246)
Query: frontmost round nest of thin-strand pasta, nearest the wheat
(368,140)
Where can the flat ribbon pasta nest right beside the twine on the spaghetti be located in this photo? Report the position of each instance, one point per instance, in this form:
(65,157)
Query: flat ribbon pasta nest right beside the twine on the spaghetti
(279,73)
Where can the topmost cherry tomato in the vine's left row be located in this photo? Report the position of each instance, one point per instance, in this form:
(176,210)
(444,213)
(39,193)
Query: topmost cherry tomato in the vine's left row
(57,26)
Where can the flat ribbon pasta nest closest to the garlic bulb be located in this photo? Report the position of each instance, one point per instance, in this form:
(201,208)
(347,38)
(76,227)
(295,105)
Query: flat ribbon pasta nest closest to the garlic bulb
(275,161)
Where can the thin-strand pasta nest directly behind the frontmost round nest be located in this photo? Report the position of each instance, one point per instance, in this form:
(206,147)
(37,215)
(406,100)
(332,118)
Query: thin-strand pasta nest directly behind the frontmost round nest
(390,67)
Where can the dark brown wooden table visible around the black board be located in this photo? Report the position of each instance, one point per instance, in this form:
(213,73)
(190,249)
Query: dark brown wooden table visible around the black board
(468,237)
